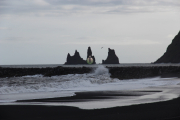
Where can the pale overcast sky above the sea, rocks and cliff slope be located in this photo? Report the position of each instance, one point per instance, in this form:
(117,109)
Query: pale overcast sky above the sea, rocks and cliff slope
(45,31)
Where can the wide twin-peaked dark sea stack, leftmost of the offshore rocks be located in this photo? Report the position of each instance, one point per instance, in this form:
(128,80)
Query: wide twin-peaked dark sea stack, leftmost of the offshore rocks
(75,59)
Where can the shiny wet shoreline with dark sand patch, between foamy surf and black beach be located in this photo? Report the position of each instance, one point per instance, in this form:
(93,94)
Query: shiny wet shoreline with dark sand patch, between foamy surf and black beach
(106,98)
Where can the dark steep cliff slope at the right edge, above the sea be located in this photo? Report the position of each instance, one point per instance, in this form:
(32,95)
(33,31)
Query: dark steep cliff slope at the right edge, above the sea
(172,54)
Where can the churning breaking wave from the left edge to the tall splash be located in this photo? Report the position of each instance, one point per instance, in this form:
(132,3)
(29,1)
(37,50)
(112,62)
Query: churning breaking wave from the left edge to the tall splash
(38,83)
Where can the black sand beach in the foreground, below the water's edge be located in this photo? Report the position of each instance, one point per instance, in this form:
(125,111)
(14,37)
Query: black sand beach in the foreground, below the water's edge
(167,110)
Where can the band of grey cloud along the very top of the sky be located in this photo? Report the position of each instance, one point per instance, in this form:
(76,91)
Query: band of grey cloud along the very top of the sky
(57,7)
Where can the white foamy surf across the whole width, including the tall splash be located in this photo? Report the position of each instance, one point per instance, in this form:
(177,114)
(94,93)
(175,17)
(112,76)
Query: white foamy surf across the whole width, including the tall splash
(98,80)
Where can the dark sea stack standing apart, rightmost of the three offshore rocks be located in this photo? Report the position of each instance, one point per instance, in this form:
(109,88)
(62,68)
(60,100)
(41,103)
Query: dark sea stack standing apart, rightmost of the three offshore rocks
(112,58)
